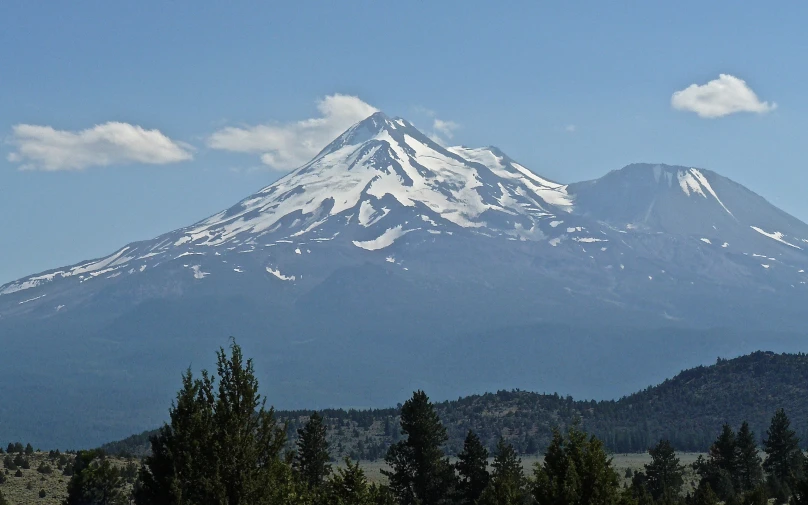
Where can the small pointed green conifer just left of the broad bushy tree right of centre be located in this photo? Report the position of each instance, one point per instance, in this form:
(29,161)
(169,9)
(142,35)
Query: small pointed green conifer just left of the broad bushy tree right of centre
(507,485)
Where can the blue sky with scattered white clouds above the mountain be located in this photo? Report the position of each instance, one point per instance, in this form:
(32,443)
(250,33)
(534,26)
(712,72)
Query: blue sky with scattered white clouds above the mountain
(121,121)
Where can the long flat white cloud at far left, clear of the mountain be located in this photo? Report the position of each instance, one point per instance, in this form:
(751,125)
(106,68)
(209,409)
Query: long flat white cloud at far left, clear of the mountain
(48,149)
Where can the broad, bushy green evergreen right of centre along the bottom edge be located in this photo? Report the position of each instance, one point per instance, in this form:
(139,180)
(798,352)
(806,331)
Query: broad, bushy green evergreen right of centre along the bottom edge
(576,471)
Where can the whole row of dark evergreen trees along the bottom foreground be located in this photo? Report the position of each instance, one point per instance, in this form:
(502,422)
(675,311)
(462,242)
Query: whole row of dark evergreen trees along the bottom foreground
(224,446)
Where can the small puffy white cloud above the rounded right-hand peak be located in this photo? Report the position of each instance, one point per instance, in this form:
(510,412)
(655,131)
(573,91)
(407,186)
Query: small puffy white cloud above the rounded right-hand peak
(720,97)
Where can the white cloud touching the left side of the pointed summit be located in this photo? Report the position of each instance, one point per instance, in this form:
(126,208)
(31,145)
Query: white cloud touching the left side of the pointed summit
(288,146)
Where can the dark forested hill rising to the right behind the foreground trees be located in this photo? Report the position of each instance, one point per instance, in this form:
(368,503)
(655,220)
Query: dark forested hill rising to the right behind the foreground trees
(688,409)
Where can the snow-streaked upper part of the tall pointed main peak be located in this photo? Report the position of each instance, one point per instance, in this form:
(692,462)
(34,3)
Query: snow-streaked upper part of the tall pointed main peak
(382,163)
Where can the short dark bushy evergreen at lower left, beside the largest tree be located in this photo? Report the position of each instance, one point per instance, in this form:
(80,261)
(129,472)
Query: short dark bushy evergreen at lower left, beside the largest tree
(95,481)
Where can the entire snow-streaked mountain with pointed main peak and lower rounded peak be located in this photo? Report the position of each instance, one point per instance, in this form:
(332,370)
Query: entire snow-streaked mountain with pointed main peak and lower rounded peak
(387,252)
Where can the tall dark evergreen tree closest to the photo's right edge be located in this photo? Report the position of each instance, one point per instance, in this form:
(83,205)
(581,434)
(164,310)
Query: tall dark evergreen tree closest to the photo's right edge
(784,461)
